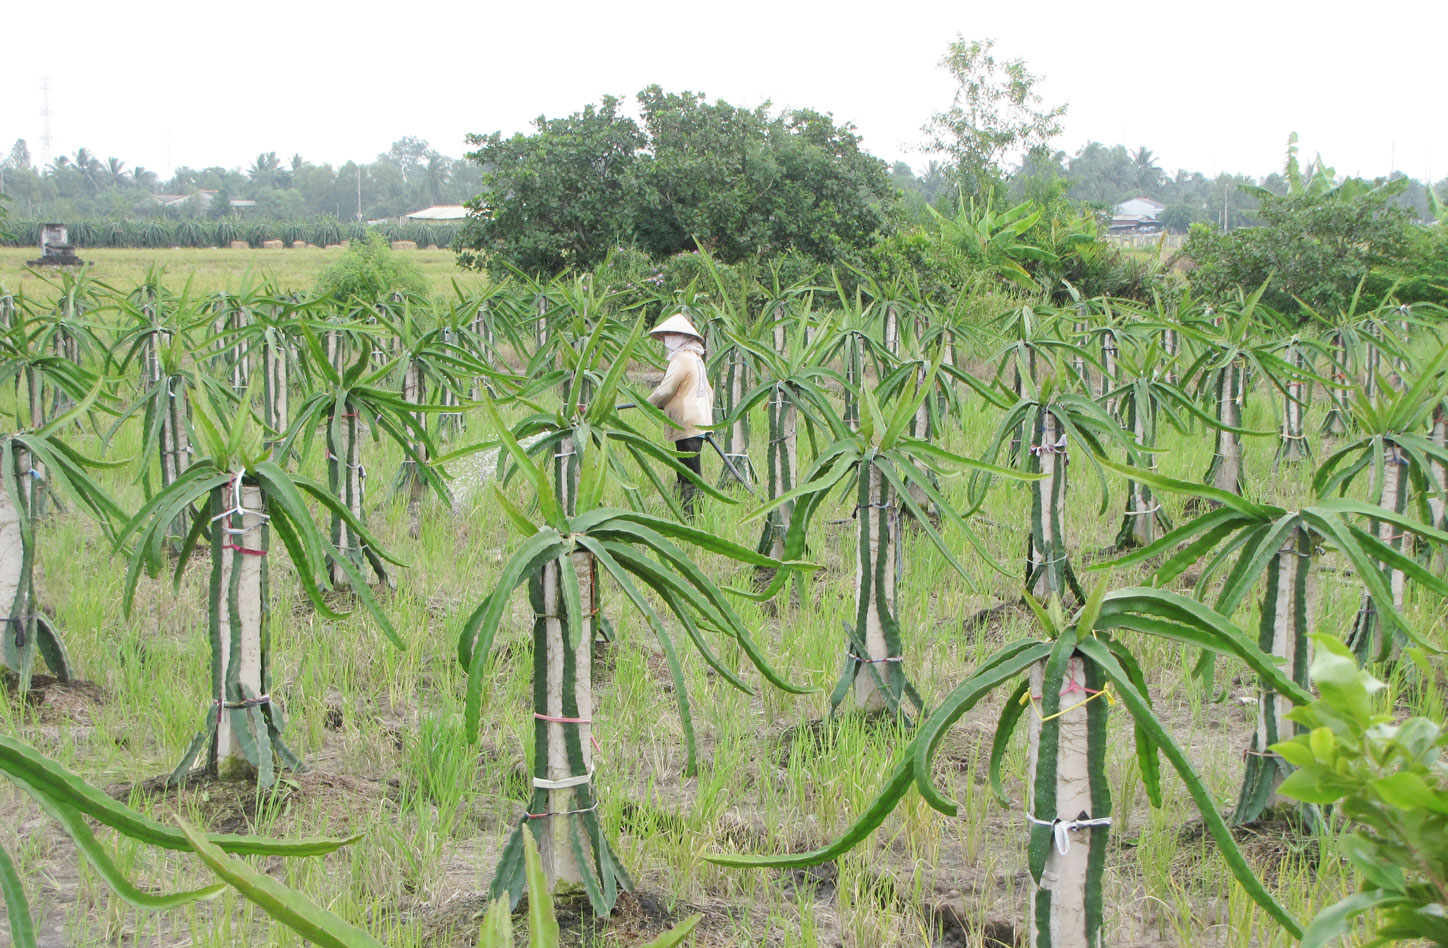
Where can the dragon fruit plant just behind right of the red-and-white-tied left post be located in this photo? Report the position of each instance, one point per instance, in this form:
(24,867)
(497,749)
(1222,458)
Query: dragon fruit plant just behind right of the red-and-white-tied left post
(342,402)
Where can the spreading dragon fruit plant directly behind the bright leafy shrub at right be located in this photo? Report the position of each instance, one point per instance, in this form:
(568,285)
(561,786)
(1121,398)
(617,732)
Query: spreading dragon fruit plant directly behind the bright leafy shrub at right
(1285,548)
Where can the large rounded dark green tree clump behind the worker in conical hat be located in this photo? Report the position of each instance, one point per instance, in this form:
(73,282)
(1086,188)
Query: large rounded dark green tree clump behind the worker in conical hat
(697,173)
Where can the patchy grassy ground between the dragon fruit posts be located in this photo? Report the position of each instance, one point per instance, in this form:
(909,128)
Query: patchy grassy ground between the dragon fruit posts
(382,733)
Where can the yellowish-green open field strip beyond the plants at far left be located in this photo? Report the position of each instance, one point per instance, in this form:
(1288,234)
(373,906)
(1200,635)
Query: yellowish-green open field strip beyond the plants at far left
(211,268)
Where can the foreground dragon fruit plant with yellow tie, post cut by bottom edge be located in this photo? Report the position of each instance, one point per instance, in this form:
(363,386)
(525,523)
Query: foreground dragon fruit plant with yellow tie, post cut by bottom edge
(1065,682)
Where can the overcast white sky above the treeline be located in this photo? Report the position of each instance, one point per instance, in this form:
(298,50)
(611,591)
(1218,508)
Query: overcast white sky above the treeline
(1208,88)
